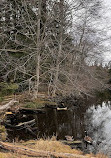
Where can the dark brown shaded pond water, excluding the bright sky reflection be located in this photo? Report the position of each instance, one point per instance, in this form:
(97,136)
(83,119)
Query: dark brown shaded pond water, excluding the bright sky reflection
(53,122)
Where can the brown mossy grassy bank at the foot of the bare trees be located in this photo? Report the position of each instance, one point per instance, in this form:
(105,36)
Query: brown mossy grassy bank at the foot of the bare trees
(27,101)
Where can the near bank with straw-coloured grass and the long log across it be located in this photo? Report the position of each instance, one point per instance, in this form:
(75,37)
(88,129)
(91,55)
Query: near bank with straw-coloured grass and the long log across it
(44,148)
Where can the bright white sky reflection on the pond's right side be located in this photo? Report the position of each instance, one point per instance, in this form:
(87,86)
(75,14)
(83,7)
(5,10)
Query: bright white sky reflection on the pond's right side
(98,122)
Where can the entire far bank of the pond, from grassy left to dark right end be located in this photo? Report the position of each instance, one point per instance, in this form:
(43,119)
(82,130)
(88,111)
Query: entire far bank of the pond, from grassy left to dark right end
(26,100)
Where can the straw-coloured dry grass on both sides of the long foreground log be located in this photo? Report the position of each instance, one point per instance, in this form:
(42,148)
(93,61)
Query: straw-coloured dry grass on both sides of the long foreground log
(49,145)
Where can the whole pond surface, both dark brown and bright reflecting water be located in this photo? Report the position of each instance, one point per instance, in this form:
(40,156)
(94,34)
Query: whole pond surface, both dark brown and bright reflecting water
(96,119)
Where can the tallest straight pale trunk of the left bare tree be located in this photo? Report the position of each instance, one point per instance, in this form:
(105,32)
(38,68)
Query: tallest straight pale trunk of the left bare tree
(40,34)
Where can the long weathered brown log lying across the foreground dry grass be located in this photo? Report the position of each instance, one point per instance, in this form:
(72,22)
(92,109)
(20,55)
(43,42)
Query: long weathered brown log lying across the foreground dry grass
(37,153)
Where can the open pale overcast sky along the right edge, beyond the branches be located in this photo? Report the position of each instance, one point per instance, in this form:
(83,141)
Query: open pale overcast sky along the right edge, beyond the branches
(105,23)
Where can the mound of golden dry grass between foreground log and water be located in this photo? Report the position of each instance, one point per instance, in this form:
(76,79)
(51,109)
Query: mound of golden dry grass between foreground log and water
(55,146)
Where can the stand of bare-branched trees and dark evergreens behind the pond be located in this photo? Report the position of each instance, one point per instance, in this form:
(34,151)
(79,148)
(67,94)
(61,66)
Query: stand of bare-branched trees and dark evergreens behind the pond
(47,44)
